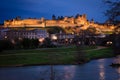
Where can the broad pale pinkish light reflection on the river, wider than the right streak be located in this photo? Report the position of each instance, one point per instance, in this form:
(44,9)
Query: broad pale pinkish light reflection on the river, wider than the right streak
(69,72)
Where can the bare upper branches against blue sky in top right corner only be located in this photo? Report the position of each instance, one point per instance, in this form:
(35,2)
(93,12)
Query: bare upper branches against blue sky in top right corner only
(113,12)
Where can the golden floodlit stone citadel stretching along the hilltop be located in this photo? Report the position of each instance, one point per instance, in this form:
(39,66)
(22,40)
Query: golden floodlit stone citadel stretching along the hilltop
(80,21)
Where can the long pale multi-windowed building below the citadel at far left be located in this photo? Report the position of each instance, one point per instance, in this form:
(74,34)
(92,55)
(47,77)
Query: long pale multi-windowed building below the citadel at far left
(20,34)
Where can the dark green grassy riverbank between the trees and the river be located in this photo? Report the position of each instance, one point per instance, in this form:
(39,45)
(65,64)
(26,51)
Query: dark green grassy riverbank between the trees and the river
(53,56)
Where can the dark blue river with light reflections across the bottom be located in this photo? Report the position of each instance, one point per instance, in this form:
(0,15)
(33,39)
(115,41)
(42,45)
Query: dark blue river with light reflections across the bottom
(94,70)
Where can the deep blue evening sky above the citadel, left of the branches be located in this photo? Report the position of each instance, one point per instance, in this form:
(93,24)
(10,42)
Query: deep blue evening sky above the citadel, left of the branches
(46,8)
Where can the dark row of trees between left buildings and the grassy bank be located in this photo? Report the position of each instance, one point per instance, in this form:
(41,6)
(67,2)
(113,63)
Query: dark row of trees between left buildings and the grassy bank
(25,43)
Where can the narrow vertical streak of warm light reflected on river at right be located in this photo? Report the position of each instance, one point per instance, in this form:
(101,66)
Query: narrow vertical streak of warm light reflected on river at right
(102,69)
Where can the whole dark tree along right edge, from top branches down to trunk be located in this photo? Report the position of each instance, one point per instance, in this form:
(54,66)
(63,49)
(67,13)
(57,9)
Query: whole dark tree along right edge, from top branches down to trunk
(113,14)
